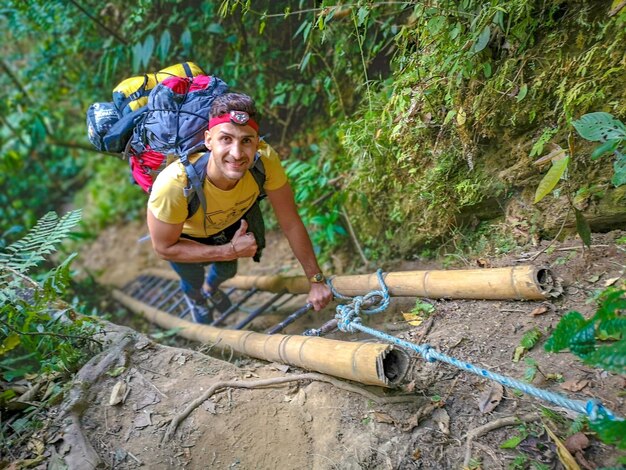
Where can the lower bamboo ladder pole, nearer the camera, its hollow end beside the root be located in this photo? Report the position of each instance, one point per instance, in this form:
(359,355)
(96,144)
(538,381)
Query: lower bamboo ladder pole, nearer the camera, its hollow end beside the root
(368,363)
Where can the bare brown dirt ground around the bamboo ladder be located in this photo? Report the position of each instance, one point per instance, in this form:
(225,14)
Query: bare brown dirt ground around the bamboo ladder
(313,424)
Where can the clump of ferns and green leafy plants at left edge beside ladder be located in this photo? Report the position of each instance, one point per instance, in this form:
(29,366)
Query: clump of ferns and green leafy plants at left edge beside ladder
(38,335)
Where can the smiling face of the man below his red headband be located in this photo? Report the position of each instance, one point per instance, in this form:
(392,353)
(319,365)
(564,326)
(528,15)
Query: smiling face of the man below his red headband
(232,153)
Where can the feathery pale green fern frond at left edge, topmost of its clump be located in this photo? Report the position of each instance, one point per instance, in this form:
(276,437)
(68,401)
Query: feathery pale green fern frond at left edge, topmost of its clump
(41,240)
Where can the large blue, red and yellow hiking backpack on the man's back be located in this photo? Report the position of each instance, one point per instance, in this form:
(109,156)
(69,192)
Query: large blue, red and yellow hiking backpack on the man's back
(169,127)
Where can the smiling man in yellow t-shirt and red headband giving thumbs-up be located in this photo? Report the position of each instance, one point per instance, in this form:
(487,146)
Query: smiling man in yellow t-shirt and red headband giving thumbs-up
(219,237)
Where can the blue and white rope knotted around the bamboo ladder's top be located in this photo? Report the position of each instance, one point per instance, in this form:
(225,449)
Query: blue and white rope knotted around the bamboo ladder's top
(349,321)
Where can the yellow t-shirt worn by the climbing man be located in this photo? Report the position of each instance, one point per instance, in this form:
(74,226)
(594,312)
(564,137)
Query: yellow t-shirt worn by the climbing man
(168,203)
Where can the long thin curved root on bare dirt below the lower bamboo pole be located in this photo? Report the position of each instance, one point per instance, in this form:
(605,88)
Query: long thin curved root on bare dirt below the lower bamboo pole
(249,384)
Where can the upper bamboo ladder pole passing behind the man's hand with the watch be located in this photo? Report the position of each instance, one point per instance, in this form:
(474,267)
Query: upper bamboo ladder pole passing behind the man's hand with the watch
(511,283)
